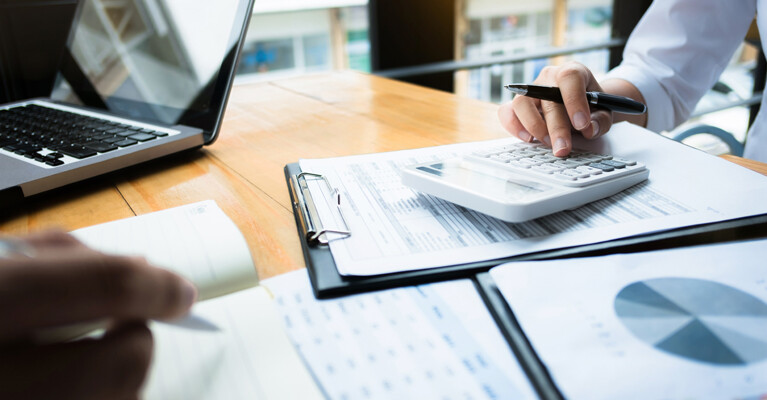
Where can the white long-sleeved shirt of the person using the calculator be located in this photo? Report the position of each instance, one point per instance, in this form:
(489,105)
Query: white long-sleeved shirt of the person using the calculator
(677,52)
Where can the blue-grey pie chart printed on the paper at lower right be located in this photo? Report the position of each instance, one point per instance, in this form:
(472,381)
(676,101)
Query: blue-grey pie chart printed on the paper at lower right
(699,320)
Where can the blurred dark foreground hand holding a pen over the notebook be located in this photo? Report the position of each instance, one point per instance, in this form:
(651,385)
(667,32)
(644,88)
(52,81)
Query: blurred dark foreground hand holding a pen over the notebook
(52,280)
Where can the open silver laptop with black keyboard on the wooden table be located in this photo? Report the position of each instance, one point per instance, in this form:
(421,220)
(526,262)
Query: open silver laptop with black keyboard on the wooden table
(137,80)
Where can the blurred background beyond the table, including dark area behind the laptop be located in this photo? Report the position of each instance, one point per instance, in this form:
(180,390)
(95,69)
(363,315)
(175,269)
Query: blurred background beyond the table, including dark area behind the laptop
(467,47)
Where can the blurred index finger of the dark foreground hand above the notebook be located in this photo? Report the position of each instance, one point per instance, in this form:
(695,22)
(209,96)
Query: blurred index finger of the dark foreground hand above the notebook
(75,286)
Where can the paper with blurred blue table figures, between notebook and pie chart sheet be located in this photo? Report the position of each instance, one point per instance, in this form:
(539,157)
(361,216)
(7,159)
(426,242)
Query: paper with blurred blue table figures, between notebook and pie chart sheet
(434,341)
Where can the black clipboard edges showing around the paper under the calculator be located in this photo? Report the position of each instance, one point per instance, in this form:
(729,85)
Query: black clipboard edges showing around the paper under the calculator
(327,282)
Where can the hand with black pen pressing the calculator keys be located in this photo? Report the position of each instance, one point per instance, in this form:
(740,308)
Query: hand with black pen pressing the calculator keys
(566,100)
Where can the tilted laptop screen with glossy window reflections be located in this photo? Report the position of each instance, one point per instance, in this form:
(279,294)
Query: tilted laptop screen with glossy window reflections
(168,61)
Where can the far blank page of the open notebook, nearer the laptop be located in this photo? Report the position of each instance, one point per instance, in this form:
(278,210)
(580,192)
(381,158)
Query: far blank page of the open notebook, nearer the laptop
(197,241)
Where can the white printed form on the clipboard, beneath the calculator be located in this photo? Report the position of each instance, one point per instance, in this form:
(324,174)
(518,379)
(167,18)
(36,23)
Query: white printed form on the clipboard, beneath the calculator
(396,229)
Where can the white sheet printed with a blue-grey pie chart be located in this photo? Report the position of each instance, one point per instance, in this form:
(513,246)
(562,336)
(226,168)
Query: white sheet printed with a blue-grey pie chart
(676,324)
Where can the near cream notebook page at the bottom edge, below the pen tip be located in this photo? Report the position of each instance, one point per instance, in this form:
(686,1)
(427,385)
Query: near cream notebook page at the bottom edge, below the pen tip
(246,355)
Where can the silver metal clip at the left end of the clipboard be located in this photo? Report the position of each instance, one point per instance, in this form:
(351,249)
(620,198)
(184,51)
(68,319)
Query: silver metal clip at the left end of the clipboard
(311,223)
